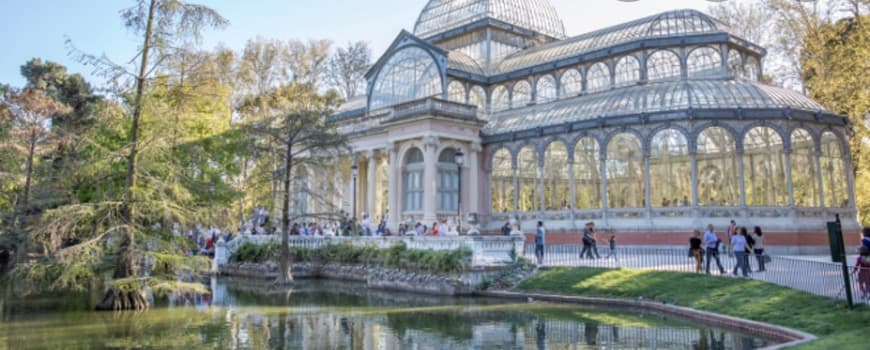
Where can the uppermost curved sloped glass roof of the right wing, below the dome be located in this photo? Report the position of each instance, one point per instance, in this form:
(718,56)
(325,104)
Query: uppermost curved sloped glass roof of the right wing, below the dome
(667,24)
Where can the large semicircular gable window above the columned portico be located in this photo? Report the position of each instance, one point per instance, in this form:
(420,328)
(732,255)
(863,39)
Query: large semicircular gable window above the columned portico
(409,74)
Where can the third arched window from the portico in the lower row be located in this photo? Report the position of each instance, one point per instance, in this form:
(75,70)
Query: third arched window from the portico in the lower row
(557,190)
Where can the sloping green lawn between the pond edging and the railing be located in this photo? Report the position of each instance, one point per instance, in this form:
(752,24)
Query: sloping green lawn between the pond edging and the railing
(836,326)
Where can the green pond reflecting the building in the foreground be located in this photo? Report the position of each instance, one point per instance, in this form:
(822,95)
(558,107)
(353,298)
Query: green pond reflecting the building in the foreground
(335,315)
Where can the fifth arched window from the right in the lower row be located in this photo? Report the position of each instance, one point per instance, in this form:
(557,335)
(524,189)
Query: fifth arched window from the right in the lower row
(670,169)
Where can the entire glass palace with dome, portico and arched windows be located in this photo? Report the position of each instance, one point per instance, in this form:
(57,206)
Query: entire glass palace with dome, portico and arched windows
(650,128)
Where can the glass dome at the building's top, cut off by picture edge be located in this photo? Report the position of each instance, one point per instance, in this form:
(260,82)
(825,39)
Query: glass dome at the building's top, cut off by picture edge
(442,15)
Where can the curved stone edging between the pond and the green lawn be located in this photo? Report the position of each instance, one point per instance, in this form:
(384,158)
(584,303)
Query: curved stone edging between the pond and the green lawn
(787,336)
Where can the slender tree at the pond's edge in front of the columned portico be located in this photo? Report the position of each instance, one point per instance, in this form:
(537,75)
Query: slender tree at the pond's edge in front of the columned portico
(294,118)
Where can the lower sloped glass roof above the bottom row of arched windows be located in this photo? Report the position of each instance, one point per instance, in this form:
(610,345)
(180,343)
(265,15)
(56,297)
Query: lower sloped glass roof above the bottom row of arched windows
(651,98)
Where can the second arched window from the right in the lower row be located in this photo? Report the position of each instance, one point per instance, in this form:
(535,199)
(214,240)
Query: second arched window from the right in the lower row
(804,176)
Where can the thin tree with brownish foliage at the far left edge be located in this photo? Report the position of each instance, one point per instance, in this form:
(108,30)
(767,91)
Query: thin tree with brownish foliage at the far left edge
(31,112)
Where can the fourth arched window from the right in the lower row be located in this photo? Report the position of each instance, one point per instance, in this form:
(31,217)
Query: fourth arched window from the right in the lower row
(718,180)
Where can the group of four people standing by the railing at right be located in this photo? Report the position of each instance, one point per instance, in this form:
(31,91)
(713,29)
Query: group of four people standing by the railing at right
(741,244)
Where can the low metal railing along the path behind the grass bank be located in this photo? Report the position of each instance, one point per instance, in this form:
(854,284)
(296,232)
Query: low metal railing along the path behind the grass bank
(816,277)
